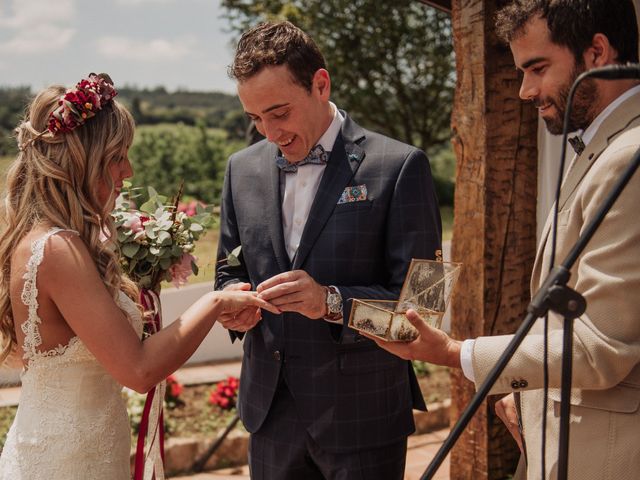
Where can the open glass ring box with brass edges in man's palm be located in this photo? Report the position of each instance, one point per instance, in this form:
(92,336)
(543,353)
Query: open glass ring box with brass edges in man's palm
(427,289)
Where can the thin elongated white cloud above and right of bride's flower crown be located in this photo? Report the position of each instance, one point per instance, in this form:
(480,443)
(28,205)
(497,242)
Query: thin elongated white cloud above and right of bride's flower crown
(153,50)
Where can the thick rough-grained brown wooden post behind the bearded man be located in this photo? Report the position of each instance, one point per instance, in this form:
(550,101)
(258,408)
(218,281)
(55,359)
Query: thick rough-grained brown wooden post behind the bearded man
(494,234)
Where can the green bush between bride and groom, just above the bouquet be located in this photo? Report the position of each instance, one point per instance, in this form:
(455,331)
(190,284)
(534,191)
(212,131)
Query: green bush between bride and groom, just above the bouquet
(163,155)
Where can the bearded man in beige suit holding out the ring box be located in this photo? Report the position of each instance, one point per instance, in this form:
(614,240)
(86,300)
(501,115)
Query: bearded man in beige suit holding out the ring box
(552,42)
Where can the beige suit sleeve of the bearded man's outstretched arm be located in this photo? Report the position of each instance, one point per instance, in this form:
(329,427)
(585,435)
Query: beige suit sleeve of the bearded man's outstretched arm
(607,337)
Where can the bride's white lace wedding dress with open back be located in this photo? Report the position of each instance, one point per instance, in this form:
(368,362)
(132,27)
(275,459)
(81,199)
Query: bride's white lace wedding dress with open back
(72,420)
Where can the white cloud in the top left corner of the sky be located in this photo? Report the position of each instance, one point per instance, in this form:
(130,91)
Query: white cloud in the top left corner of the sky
(39,26)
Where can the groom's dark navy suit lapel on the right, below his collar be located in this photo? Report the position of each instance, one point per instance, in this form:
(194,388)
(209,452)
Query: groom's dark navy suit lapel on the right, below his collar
(342,165)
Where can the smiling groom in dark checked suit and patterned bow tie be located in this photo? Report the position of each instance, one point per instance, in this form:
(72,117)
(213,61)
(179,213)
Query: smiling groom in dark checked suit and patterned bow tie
(325,211)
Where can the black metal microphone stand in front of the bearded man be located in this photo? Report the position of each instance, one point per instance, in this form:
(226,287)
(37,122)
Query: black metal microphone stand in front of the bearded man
(552,295)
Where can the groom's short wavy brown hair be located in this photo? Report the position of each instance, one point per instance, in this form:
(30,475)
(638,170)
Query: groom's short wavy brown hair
(273,44)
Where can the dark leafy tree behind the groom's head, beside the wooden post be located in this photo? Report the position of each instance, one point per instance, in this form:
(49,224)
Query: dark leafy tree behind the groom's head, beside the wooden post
(391,63)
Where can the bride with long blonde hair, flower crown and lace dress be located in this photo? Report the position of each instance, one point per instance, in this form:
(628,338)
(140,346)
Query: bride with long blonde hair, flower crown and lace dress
(64,306)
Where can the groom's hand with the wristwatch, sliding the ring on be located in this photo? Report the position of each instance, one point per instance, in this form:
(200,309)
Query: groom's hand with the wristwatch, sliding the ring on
(295,291)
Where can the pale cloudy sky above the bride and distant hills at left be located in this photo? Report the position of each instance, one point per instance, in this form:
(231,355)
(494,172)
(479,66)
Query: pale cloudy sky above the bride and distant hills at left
(178,44)
